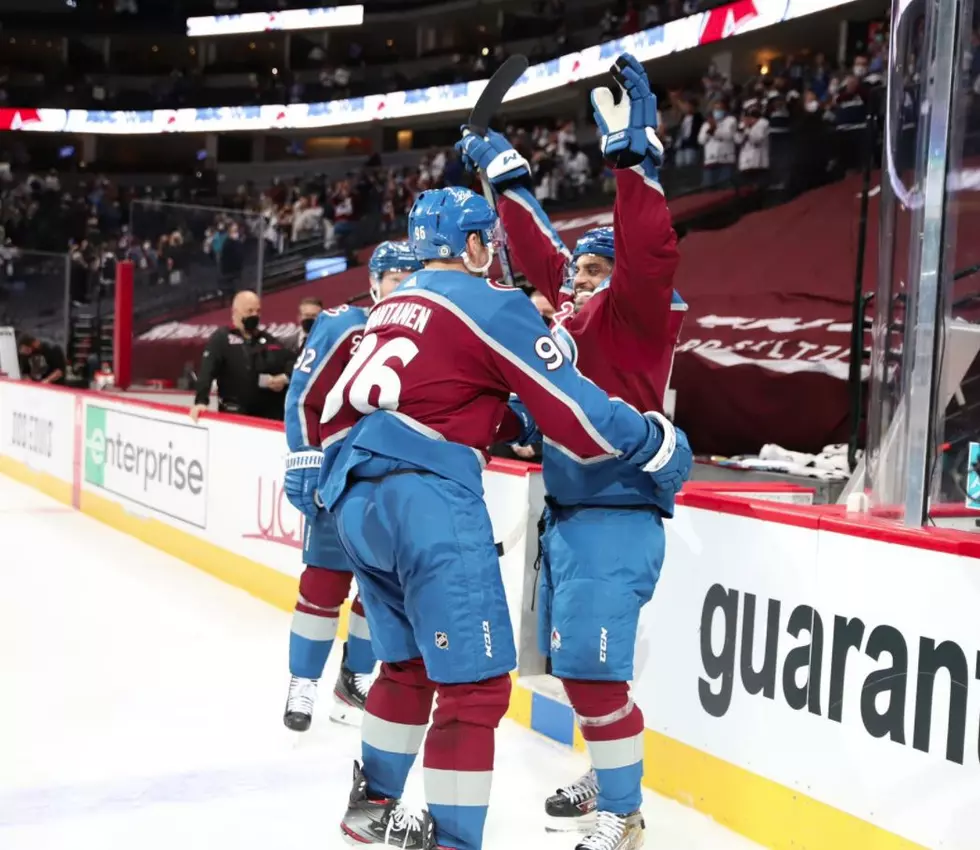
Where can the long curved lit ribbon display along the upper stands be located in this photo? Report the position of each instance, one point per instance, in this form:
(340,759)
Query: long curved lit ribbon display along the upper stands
(685,34)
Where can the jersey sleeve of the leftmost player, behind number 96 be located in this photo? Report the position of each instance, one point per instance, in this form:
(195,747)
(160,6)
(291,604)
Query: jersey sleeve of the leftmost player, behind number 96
(330,345)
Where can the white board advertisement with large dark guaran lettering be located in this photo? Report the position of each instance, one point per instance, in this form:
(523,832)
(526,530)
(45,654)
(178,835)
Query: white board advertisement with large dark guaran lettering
(855,661)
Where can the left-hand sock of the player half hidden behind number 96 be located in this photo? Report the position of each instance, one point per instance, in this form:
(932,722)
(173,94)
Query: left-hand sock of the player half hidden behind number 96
(321,593)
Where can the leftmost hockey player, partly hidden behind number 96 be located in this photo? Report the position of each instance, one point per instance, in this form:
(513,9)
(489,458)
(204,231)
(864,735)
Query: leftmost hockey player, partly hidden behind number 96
(326,579)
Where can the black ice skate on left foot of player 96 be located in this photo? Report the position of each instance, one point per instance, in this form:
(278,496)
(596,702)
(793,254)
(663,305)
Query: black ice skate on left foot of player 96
(383,821)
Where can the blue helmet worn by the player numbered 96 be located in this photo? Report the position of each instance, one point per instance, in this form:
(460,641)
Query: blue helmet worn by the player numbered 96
(442,219)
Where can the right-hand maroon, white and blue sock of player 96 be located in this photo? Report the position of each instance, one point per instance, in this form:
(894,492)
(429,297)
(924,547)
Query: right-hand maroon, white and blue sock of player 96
(459,759)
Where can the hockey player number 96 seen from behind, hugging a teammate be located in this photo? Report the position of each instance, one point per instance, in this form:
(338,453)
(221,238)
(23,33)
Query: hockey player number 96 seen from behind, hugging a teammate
(406,431)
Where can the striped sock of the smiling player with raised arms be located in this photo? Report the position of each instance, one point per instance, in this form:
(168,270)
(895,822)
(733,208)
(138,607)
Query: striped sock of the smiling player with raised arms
(612,727)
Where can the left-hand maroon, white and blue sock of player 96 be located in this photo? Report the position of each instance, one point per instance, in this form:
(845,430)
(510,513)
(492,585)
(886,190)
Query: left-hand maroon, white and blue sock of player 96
(395,717)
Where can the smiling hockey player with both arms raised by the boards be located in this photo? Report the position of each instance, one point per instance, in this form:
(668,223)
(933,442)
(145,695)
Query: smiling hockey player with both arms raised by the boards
(603,543)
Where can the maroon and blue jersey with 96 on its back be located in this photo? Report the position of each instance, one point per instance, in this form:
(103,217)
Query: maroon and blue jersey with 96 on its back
(428,385)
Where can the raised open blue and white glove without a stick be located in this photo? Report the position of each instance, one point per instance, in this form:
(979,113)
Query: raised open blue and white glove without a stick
(628,128)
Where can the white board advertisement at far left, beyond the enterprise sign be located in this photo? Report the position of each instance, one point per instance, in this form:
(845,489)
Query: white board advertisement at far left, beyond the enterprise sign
(36,428)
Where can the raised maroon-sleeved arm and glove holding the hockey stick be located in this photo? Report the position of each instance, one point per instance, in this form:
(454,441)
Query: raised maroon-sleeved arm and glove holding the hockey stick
(536,248)
